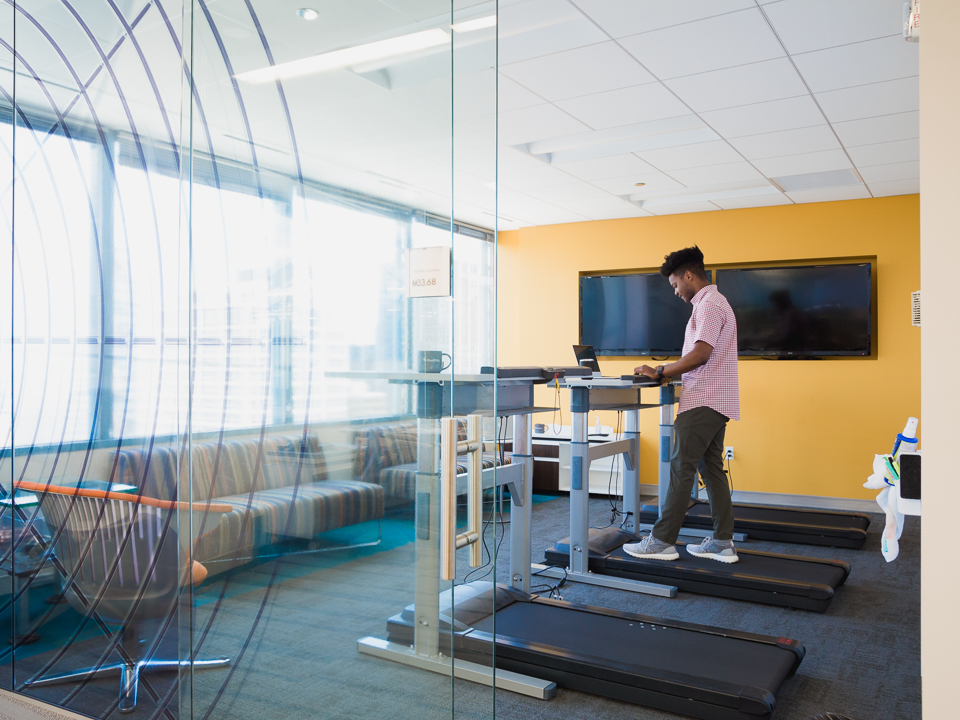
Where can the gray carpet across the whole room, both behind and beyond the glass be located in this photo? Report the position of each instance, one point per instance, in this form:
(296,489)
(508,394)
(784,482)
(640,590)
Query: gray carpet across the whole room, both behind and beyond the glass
(301,661)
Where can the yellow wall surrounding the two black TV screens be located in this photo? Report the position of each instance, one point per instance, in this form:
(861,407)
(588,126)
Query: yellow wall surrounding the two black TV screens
(808,427)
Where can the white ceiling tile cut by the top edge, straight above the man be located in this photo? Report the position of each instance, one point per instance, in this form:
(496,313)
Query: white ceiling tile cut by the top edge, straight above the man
(621,18)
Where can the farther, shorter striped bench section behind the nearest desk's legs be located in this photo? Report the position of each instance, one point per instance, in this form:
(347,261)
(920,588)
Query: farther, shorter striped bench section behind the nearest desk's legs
(387,456)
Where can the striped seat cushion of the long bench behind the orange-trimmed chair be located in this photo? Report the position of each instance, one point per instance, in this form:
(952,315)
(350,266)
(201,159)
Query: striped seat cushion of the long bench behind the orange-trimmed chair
(295,511)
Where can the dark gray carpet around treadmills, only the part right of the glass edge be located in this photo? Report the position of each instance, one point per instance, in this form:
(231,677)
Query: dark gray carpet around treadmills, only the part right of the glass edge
(863,654)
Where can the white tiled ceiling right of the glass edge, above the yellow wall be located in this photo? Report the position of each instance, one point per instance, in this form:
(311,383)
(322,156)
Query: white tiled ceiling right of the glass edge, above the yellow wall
(781,88)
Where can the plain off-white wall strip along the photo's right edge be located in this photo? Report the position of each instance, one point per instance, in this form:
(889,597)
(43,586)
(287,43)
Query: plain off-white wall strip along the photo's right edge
(940,350)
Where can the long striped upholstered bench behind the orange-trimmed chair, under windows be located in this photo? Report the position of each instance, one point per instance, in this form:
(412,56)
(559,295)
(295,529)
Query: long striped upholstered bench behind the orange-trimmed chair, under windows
(277,487)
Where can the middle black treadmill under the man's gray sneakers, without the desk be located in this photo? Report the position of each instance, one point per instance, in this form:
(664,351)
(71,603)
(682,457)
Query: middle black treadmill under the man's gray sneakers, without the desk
(784,580)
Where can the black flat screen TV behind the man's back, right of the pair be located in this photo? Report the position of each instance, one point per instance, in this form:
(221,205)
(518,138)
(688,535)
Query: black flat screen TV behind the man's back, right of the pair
(801,311)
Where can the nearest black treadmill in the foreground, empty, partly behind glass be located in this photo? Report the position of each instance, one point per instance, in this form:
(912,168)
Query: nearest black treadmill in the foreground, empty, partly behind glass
(695,670)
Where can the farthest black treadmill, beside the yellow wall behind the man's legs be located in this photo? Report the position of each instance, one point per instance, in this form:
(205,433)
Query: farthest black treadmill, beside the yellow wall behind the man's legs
(763,522)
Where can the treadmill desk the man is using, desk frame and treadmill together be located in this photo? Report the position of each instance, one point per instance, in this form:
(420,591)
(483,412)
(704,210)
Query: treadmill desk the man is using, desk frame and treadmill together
(800,582)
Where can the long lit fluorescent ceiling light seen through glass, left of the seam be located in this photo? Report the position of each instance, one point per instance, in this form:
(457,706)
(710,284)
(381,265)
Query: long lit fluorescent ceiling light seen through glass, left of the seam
(349,56)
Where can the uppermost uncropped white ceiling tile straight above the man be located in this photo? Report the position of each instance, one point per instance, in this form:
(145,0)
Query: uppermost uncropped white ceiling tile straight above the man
(705,45)
